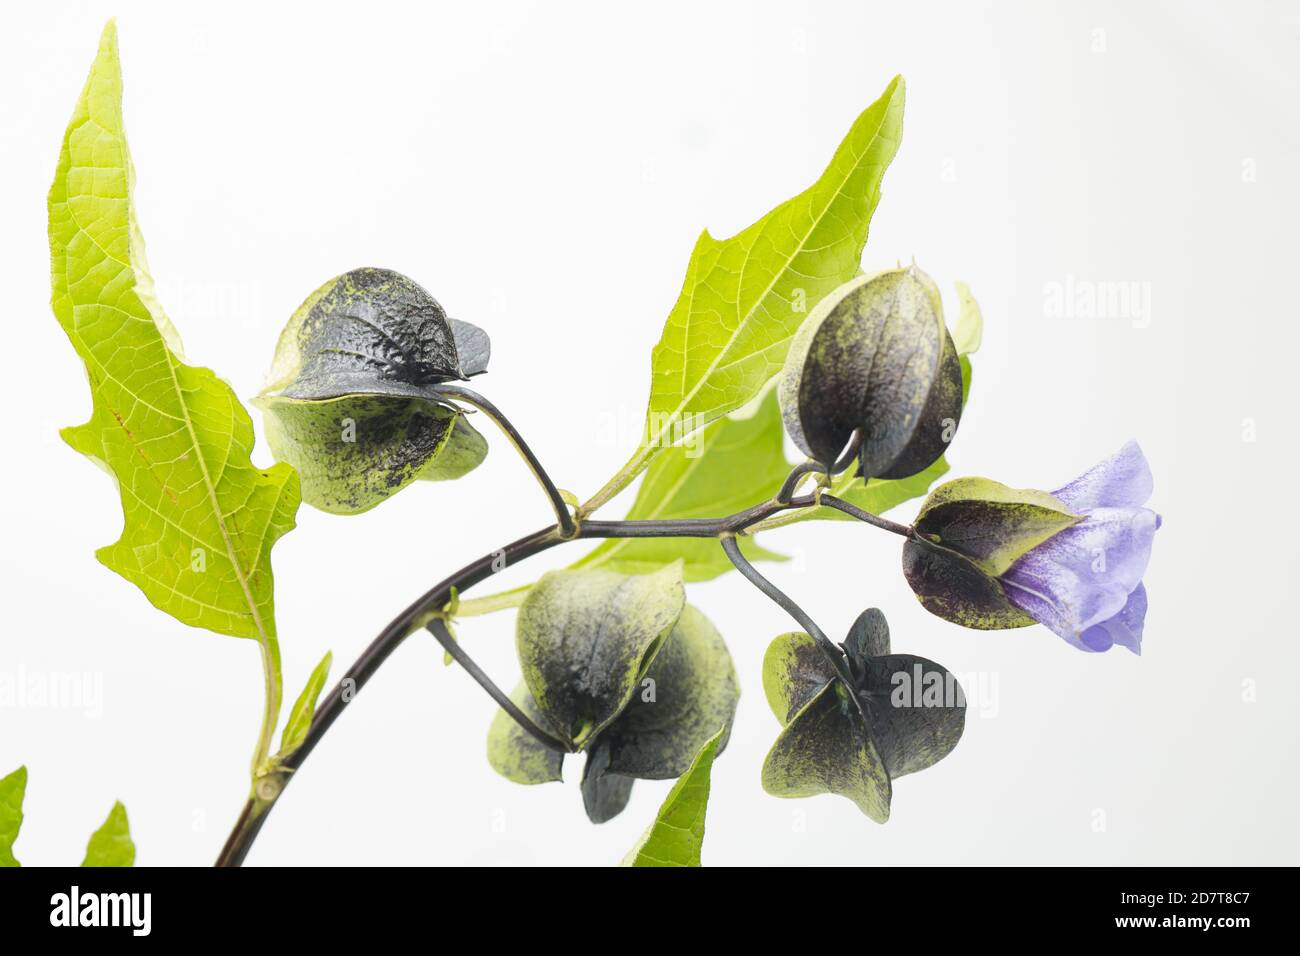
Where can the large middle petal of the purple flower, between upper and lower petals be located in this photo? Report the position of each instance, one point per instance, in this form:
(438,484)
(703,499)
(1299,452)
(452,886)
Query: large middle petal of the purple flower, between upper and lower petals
(1085,576)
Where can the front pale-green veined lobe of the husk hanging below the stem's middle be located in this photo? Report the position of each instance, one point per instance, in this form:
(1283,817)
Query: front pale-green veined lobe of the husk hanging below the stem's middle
(587,638)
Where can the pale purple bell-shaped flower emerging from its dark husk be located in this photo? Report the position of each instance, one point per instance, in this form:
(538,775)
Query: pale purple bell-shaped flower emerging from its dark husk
(1085,583)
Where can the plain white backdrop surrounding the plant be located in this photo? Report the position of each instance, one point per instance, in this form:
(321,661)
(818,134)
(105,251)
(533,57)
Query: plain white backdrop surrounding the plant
(545,171)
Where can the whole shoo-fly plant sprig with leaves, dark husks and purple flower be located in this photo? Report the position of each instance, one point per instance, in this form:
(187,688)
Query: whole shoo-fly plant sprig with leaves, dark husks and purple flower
(778,331)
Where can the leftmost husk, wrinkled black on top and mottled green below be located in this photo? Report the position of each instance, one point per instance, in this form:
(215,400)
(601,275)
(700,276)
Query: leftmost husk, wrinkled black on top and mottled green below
(353,403)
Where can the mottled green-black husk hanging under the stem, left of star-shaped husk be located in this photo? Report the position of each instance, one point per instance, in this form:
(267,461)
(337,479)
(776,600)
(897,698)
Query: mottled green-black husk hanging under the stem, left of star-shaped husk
(682,691)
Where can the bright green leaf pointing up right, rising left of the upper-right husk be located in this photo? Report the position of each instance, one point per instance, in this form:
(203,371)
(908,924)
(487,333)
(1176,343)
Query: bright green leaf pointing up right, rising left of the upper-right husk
(746,297)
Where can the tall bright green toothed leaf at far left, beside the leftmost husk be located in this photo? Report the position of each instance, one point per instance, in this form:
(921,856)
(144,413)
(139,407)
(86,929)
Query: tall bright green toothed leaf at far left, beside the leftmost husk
(200,518)
